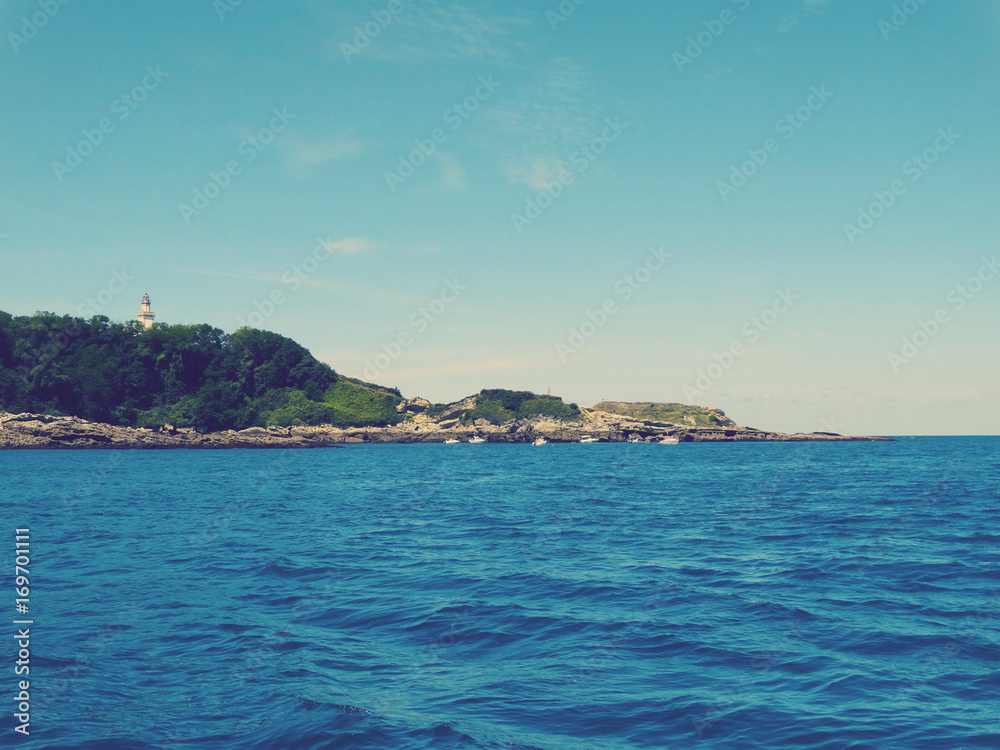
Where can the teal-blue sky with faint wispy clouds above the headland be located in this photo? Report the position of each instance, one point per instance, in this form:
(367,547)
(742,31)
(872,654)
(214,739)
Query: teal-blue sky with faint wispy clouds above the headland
(785,209)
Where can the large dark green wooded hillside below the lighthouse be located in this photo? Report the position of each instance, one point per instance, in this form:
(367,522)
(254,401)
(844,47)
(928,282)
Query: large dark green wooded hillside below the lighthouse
(185,375)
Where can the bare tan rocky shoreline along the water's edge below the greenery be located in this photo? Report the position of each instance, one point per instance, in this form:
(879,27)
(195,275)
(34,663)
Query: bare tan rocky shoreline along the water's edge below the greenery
(27,431)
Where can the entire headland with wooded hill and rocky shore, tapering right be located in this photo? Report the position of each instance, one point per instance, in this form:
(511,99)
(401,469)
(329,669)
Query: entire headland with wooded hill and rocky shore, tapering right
(71,382)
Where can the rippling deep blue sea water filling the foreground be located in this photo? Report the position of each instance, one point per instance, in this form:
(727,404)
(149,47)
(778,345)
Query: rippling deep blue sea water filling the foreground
(805,595)
